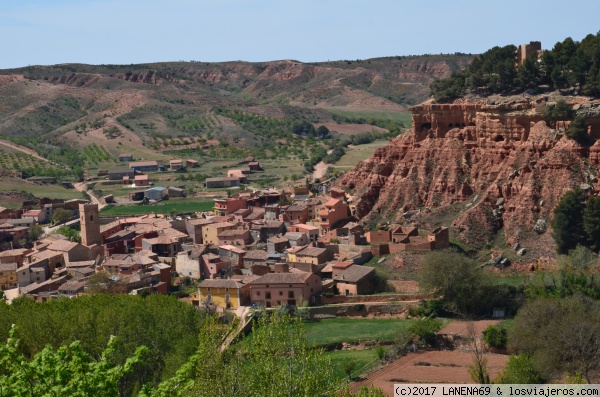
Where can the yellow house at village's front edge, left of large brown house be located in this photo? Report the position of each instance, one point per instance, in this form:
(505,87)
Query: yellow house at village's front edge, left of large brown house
(225,293)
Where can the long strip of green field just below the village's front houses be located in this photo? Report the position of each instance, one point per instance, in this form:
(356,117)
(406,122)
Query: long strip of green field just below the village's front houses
(336,330)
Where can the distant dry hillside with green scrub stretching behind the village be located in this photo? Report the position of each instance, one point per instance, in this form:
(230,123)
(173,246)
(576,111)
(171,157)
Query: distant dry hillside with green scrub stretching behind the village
(146,109)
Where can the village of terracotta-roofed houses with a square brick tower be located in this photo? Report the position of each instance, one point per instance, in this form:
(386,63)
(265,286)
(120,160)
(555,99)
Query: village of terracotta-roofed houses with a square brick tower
(267,247)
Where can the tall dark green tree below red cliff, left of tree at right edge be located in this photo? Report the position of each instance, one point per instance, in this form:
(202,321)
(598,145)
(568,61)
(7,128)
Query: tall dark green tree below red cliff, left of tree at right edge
(567,224)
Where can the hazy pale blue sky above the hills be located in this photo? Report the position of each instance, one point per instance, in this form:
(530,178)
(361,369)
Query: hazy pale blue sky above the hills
(131,31)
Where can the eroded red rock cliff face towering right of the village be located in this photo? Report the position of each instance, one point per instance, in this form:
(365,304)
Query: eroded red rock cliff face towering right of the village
(485,149)
